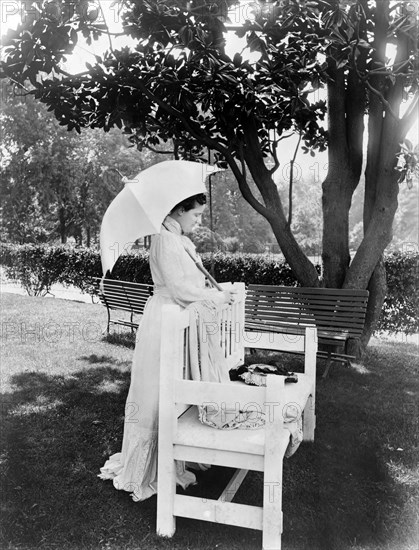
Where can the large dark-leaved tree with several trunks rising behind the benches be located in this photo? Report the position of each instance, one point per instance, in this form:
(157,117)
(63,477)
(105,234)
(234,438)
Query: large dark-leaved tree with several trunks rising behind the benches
(177,82)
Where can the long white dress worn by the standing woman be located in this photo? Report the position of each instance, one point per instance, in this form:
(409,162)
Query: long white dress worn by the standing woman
(176,281)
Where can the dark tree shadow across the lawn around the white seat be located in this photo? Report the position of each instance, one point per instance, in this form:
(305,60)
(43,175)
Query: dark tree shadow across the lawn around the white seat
(339,492)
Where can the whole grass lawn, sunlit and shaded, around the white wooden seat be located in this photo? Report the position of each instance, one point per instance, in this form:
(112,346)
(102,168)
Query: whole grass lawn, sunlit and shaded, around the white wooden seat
(63,393)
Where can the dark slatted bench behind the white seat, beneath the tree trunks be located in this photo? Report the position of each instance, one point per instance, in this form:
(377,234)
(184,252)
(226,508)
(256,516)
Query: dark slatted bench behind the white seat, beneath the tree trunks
(338,314)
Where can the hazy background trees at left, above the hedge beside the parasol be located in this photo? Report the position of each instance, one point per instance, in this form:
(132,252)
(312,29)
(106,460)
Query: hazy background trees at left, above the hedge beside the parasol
(55,183)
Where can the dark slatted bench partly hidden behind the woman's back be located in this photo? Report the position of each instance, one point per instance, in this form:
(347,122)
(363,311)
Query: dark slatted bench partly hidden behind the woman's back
(125,296)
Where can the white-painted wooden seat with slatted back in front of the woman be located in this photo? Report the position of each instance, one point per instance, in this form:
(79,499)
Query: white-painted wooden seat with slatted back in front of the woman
(183,437)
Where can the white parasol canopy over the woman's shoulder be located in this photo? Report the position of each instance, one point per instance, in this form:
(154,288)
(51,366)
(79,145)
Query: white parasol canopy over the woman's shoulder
(140,208)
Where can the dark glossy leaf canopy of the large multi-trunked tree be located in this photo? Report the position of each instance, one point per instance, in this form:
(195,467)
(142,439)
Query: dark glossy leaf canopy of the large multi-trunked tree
(177,82)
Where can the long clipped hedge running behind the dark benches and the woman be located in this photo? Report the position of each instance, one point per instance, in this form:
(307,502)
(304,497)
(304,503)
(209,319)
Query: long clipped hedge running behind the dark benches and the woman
(38,267)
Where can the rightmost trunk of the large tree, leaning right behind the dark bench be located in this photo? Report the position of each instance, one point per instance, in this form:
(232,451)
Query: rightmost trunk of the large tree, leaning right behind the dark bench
(385,133)
